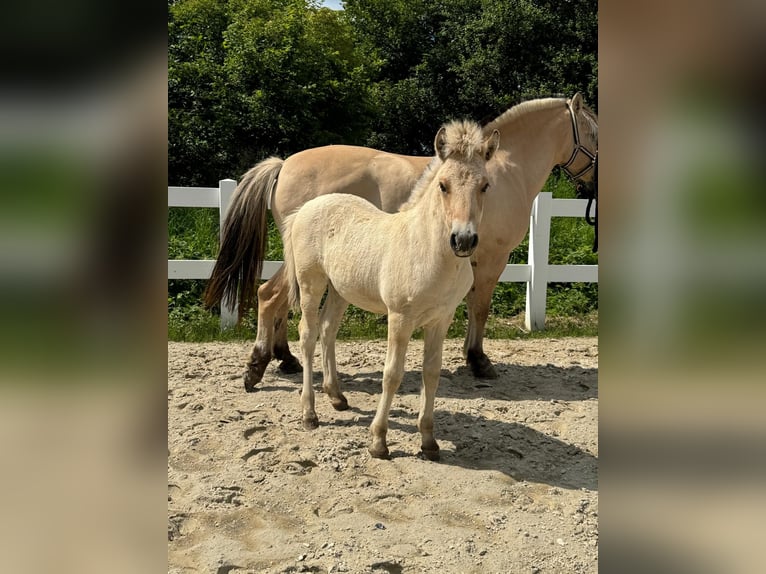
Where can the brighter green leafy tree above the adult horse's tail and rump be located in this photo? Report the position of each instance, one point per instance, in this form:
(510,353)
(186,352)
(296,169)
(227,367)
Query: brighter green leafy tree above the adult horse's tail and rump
(251,78)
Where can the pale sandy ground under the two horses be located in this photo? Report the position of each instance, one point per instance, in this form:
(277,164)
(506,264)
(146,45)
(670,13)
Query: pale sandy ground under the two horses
(516,490)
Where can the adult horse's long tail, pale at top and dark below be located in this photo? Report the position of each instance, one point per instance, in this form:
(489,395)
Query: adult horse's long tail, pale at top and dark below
(243,239)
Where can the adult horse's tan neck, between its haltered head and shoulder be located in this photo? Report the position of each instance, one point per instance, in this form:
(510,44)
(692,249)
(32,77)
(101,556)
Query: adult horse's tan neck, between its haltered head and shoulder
(535,142)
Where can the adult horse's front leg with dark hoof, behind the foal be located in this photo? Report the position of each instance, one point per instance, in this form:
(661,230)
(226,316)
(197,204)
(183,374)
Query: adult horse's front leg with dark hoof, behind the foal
(479,299)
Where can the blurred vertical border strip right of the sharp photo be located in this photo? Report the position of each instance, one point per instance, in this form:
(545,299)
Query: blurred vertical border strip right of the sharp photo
(682,284)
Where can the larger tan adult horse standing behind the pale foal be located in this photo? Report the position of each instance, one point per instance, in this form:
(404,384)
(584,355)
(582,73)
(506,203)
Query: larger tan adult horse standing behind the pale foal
(536,136)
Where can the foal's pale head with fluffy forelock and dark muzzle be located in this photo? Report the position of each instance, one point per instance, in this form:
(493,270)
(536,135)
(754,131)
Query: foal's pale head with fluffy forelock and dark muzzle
(462,180)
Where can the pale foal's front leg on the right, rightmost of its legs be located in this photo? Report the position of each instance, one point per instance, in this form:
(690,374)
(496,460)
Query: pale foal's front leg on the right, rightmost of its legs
(432,361)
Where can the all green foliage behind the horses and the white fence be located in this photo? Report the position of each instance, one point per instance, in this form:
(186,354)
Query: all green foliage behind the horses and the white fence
(253,78)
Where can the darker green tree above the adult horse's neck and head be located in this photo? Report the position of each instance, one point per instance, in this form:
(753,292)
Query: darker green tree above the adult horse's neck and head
(474,58)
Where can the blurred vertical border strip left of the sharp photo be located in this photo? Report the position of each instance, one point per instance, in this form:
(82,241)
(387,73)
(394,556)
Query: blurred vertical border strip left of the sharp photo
(83,172)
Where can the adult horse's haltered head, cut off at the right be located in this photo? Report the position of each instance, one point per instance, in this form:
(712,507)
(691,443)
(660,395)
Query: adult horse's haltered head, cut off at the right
(584,145)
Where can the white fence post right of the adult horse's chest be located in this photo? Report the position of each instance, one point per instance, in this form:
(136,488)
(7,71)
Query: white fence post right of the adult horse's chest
(539,244)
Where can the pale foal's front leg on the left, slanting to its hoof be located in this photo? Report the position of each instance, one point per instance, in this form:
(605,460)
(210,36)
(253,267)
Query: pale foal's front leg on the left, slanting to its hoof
(399,332)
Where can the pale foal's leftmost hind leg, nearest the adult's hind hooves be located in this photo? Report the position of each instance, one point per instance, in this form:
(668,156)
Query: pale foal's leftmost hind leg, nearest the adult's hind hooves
(311,298)
